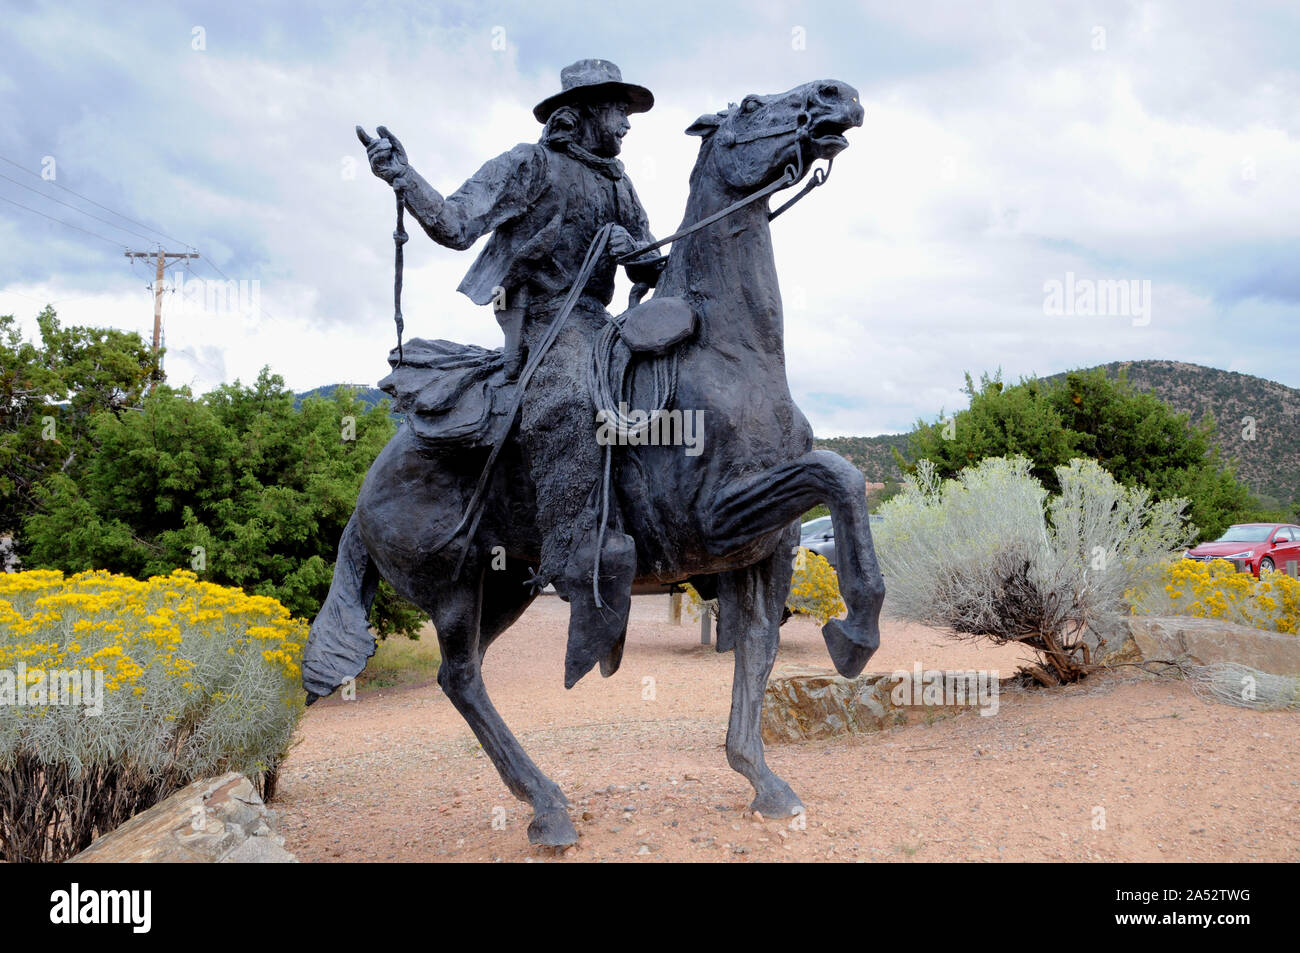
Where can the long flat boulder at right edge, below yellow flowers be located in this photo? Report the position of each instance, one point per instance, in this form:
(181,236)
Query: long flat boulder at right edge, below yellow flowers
(1206,642)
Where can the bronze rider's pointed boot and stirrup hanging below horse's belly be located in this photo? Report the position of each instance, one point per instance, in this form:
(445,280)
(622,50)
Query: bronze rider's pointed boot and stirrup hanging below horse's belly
(597,631)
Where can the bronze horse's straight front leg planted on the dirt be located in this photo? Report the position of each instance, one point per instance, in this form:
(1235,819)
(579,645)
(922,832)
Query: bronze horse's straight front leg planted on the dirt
(749,617)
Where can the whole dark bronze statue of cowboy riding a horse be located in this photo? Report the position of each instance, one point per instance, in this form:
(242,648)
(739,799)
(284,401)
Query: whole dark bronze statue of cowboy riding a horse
(500,448)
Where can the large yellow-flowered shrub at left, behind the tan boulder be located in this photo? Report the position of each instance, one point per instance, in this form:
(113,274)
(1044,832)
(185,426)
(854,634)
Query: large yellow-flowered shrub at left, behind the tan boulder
(174,679)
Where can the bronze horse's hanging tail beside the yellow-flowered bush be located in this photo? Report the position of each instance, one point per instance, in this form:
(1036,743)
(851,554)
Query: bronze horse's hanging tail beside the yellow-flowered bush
(341,642)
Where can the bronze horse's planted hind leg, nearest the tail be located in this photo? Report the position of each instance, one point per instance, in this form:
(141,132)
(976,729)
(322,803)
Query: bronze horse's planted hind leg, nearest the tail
(457,617)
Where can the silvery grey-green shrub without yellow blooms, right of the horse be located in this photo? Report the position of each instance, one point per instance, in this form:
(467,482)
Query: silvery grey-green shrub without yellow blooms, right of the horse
(991,555)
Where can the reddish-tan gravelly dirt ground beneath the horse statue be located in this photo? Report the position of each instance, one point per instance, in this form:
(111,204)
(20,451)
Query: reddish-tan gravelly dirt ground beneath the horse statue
(1117,769)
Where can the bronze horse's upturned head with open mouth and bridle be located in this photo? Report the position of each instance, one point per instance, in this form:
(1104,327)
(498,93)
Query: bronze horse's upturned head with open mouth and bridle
(753,142)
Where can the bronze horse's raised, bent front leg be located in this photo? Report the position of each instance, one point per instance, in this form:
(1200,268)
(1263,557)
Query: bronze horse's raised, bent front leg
(773,499)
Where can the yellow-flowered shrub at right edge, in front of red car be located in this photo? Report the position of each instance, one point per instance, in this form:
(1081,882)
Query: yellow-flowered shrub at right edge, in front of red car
(1217,591)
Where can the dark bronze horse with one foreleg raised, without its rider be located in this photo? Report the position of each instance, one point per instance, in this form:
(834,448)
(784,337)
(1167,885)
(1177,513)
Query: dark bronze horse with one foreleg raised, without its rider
(726,519)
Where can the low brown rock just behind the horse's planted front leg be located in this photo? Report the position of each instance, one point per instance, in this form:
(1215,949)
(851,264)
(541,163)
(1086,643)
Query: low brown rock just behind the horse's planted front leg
(809,704)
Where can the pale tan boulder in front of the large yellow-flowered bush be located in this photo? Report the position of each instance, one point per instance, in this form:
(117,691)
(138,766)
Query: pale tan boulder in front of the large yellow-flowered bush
(214,821)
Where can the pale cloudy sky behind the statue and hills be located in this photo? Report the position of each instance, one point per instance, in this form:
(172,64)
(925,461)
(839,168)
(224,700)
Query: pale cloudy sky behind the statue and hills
(1007,146)
